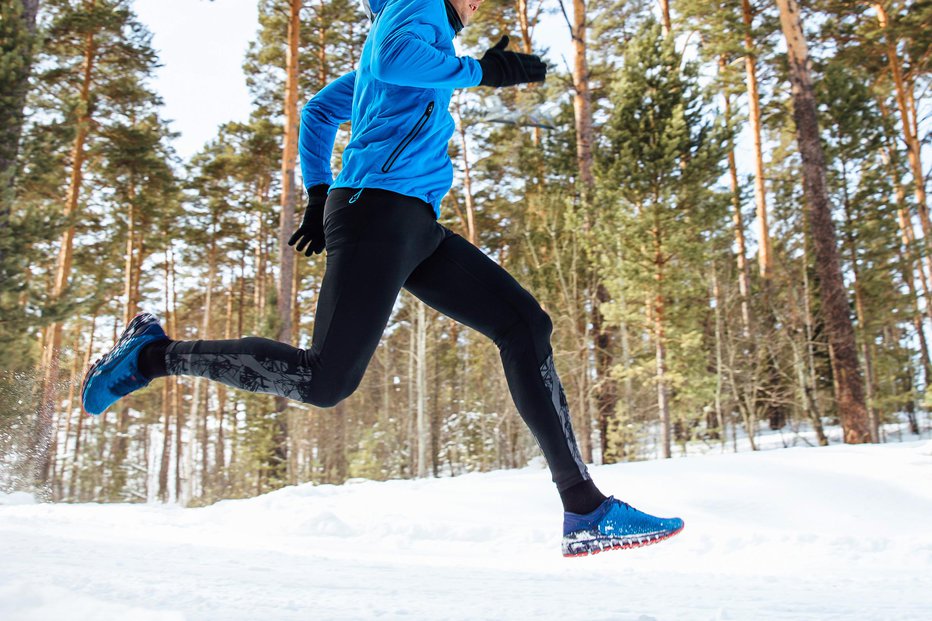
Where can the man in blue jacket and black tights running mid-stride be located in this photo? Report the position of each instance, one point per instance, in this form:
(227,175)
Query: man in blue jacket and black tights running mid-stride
(378,223)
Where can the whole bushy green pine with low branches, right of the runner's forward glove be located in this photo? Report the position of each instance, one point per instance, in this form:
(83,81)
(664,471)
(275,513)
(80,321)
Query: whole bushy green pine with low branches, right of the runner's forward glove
(668,156)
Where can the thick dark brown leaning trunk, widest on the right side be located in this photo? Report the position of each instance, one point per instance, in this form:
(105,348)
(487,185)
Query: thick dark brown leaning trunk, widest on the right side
(835,307)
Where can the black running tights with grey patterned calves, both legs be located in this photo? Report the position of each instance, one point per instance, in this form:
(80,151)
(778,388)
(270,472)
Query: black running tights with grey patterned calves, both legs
(378,242)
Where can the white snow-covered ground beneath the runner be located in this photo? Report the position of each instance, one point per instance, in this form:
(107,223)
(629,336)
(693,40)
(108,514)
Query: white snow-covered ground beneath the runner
(843,532)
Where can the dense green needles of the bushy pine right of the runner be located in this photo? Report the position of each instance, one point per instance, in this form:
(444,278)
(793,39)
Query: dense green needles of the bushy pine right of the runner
(661,218)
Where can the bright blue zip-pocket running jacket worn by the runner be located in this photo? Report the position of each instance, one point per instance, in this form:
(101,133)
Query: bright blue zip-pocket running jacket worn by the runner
(398,102)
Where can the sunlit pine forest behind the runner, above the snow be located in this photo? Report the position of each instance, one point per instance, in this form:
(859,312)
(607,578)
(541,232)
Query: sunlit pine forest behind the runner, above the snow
(691,302)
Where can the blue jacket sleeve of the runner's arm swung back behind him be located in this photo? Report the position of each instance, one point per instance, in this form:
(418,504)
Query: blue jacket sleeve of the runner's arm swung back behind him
(320,118)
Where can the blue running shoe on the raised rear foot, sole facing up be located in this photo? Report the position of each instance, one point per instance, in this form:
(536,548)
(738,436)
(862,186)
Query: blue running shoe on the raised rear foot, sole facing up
(117,374)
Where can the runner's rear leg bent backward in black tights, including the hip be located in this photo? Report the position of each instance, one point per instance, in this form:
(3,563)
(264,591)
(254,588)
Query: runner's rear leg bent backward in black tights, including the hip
(373,244)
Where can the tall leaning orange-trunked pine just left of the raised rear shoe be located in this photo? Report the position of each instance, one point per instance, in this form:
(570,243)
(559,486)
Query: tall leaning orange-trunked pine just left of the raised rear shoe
(95,57)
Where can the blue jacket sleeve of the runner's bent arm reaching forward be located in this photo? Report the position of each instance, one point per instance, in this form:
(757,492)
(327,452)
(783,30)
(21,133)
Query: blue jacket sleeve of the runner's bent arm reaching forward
(405,56)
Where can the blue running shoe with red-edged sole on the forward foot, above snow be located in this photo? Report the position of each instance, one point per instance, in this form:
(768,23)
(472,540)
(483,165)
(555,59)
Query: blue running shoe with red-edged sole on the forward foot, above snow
(614,525)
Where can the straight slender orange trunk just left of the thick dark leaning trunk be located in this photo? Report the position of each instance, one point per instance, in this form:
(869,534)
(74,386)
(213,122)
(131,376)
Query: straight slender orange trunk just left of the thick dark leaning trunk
(764,255)
